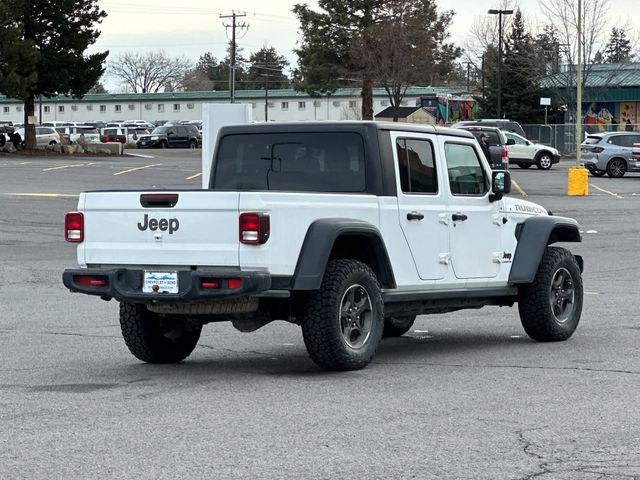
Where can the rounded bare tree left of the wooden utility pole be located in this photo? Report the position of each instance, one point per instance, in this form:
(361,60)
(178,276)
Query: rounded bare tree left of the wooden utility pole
(149,72)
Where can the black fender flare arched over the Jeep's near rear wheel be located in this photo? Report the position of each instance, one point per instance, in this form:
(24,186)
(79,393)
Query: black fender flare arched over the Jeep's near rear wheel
(319,243)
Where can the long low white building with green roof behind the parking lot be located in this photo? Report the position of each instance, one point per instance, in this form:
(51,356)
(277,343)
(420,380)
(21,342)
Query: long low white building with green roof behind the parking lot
(281,105)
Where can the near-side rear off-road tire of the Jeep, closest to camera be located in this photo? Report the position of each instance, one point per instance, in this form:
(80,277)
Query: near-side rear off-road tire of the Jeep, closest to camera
(323,323)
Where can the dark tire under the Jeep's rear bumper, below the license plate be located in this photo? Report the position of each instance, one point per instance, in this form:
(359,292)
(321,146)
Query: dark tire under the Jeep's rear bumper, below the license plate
(155,338)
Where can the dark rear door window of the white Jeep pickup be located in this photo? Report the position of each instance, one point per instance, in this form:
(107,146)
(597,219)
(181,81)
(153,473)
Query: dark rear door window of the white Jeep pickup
(416,166)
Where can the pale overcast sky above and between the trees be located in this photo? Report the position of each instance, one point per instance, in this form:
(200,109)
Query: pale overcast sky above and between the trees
(192,27)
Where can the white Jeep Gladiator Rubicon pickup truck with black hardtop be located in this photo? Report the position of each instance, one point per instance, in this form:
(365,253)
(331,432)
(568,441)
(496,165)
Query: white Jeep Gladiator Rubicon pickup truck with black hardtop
(348,229)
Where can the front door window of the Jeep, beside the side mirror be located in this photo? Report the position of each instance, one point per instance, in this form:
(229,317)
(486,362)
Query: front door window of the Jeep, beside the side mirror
(466,175)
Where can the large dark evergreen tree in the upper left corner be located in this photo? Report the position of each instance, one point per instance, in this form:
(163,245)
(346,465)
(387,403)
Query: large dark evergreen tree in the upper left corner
(42,51)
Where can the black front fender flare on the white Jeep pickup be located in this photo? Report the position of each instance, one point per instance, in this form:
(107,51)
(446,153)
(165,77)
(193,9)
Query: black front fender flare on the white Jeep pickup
(534,234)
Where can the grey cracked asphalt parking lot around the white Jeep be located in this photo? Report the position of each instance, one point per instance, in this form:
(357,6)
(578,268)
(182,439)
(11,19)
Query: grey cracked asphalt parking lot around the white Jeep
(463,395)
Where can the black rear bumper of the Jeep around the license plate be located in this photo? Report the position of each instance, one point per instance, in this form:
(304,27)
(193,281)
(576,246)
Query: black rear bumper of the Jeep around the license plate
(125,285)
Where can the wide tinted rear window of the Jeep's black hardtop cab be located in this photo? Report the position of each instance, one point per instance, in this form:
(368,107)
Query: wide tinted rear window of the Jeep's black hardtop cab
(305,162)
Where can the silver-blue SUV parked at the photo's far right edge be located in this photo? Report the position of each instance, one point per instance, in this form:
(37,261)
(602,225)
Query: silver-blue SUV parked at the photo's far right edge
(610,153)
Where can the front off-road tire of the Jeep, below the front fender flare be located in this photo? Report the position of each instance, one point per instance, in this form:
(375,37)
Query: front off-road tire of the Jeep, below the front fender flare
(539,301)
